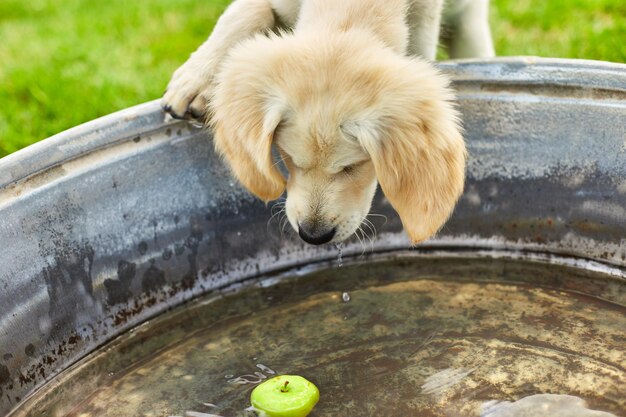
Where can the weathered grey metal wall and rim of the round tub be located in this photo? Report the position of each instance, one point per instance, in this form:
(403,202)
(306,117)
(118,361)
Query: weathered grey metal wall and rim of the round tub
(114,221)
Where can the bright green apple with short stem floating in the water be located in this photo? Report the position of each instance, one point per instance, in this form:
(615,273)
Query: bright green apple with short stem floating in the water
(285,396)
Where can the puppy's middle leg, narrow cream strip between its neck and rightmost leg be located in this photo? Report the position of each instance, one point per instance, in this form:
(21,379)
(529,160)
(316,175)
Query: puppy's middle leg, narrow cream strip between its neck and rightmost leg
(424,19)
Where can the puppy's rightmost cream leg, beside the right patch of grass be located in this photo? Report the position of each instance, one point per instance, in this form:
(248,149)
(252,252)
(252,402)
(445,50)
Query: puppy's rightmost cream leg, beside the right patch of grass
(469,30)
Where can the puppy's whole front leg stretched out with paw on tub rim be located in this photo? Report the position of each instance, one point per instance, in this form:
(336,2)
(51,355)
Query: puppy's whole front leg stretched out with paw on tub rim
(190,88)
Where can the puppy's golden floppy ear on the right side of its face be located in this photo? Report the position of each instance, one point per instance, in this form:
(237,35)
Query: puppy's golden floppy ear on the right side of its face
(414,139)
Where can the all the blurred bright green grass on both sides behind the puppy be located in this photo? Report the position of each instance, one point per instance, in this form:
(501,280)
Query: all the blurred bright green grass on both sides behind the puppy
(63,63)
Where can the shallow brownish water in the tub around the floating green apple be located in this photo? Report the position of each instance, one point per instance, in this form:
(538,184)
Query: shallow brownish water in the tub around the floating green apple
(418,337)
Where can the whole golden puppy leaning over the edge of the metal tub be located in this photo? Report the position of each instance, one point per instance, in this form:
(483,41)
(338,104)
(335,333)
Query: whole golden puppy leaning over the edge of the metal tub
(344,91)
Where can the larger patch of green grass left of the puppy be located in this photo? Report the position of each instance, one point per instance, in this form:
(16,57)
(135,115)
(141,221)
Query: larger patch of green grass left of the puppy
(63,63)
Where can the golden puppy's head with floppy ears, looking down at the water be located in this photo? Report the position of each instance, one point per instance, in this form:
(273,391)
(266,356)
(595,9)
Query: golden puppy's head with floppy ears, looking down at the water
(343,111)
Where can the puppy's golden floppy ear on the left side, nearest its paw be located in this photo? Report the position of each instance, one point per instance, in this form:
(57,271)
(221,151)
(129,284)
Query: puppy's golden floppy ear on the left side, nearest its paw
(245,113)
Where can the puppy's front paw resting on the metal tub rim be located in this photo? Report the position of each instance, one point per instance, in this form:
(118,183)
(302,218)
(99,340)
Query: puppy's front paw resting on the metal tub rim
(188,92)
